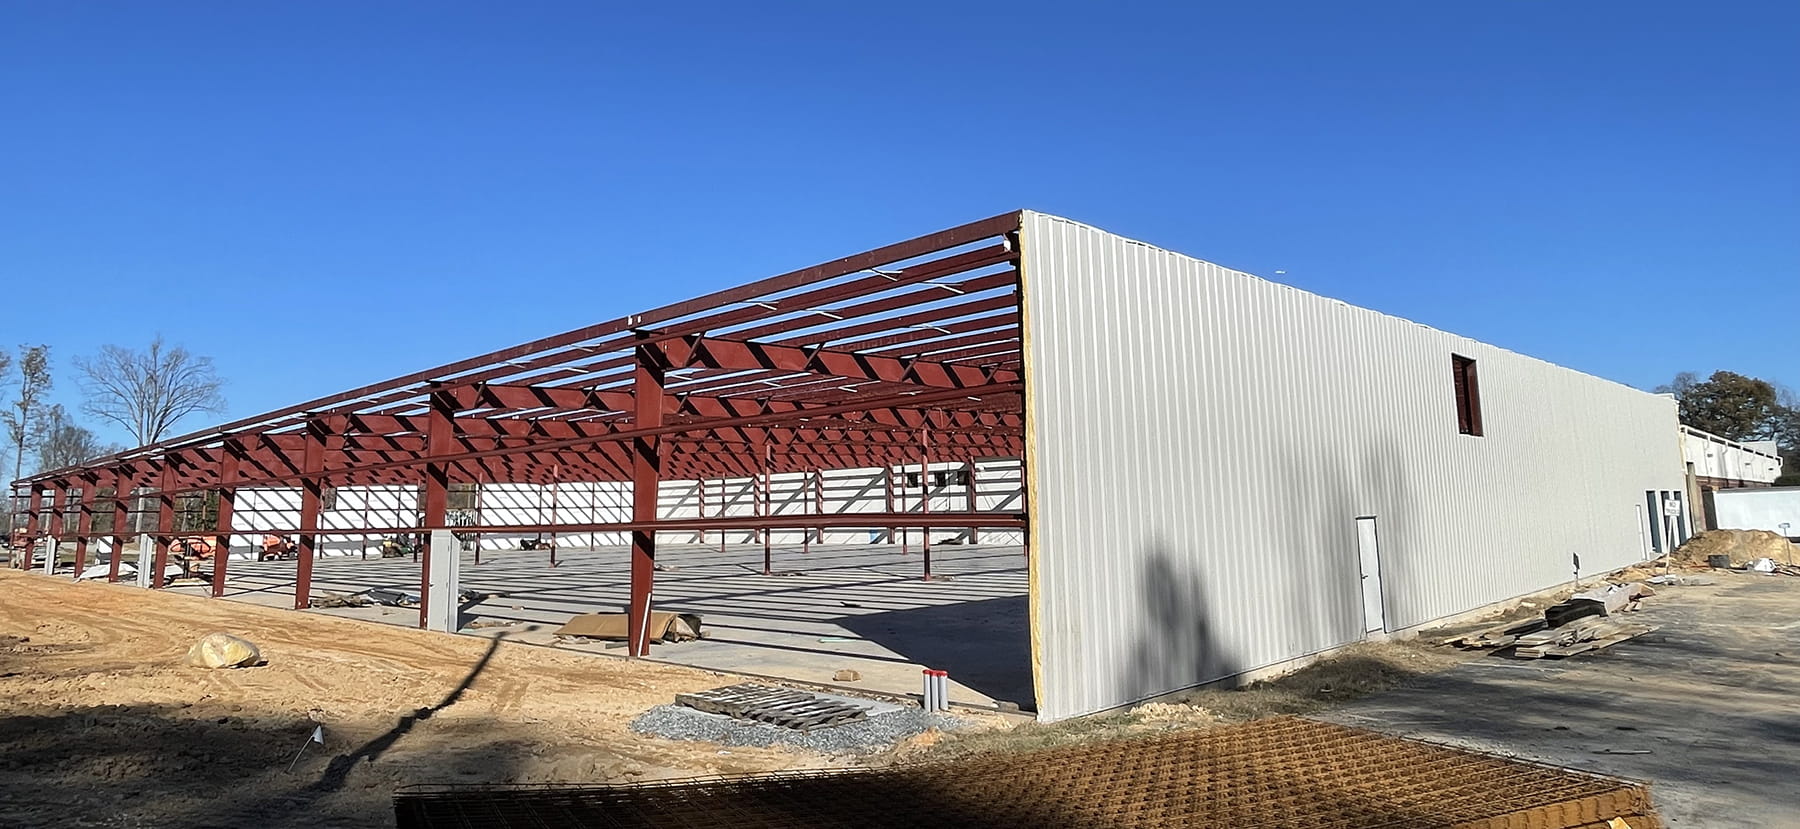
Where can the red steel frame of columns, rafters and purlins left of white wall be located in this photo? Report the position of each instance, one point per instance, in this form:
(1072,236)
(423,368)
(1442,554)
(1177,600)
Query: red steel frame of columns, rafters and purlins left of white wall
(849,364)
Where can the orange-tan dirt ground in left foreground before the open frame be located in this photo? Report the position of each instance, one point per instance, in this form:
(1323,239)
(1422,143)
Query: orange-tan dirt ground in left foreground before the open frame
(105,724)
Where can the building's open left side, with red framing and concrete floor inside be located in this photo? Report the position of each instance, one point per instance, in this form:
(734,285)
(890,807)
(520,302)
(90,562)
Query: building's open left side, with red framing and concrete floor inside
(836,461)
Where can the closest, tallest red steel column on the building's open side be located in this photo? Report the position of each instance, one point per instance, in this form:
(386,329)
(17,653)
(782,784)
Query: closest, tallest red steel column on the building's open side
(647,479)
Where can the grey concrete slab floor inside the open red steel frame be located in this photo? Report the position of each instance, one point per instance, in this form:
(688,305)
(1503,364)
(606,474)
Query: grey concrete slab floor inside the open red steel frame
(843,607)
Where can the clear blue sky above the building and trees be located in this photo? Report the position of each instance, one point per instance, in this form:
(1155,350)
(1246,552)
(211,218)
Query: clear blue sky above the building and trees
(325,195)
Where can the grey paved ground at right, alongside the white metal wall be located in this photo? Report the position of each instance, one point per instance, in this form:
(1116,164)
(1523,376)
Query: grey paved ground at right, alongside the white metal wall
(1707,709)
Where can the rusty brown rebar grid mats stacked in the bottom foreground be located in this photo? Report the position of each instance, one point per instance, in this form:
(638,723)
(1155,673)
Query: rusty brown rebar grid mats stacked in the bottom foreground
(1281,772)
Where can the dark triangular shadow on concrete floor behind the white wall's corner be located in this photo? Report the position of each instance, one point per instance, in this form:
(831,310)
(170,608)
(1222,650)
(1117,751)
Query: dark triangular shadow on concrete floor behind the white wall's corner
(984,645)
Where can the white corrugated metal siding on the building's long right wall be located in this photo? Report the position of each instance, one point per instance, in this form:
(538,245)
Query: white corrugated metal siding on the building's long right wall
(1205,440)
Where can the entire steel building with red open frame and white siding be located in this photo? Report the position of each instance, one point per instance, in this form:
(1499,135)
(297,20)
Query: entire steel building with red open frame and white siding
(1198,474)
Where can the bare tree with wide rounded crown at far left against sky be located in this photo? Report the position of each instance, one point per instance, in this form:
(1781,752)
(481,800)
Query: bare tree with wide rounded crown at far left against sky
(148,391)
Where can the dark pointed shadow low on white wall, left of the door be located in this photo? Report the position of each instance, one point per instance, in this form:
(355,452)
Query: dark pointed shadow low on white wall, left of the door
(1176,643)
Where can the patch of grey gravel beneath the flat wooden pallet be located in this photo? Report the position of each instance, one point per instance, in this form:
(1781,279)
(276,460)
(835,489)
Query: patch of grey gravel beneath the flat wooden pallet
(872,735)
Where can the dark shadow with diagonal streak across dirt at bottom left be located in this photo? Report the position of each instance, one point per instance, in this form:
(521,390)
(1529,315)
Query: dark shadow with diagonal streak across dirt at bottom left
(226,767)
